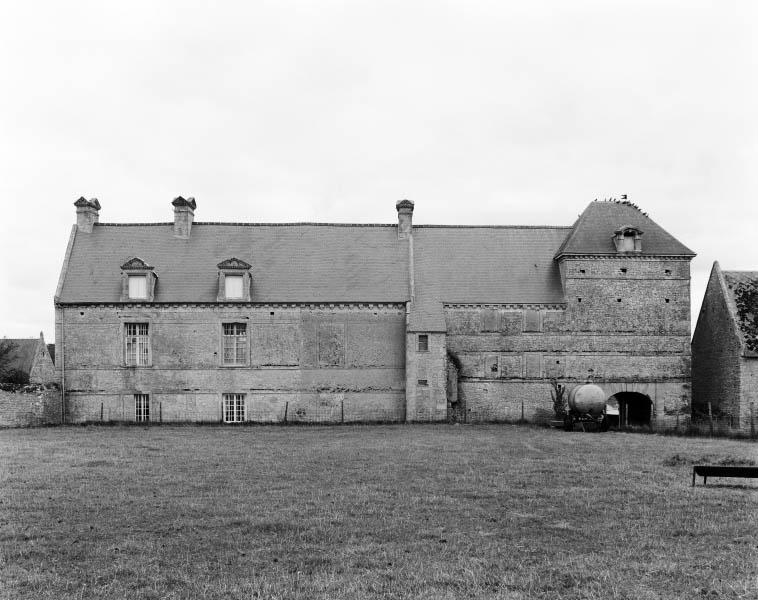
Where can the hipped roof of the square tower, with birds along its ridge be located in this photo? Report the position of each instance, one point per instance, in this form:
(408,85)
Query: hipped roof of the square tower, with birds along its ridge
(593,232)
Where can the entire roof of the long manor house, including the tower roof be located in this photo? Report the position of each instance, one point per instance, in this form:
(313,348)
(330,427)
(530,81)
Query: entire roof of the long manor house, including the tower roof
(309,262)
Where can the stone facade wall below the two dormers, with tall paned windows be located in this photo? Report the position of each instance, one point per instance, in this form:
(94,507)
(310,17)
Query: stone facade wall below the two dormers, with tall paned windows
(307,363)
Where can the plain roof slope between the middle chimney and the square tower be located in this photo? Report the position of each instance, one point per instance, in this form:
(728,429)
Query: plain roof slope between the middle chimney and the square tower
(502,265)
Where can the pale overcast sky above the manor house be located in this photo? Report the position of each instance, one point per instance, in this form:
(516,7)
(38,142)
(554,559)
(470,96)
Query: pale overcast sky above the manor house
(480,112)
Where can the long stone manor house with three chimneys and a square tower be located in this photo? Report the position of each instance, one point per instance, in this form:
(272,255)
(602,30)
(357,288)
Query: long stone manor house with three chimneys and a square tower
(272,322)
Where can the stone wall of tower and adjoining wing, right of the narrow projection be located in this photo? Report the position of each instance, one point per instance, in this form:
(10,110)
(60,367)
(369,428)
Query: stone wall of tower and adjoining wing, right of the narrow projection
(625,325)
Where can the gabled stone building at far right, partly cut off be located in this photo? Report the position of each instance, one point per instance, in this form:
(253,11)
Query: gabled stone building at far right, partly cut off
(724,368)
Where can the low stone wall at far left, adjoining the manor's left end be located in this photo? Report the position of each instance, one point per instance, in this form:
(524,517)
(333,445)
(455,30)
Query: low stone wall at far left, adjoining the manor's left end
(30,405)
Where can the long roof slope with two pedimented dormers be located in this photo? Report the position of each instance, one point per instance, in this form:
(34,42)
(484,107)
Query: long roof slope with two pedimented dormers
(290,263)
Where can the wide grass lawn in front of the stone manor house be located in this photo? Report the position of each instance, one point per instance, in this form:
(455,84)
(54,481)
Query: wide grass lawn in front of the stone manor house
(351,512)
